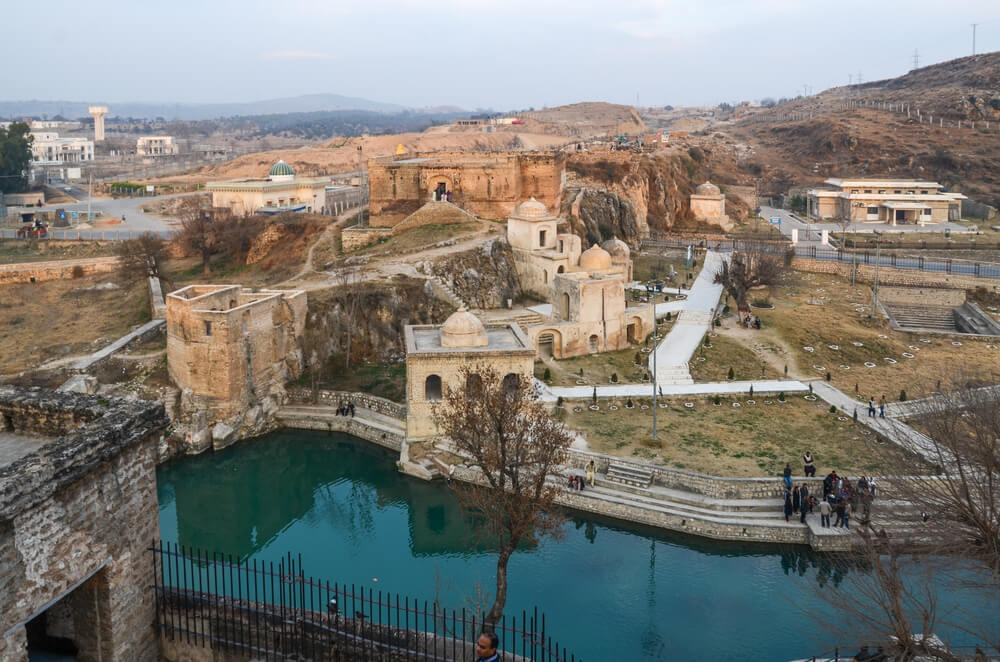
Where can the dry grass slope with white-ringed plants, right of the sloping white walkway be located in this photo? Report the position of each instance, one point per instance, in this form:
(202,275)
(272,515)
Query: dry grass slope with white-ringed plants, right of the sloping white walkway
(834,329)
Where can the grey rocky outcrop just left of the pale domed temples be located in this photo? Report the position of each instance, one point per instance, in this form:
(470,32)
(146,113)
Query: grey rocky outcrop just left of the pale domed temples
(484,277)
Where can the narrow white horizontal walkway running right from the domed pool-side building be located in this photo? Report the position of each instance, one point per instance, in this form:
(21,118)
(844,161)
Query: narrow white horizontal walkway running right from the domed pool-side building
(550,393)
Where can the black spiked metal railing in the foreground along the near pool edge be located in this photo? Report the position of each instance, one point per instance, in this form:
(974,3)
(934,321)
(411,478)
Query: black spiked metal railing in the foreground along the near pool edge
(273,611)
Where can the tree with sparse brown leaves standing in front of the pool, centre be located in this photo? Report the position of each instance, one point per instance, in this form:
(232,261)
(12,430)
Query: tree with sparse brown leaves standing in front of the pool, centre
(497,423)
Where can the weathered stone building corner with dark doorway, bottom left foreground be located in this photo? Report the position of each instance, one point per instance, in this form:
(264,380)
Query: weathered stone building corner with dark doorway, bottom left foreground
(75,519)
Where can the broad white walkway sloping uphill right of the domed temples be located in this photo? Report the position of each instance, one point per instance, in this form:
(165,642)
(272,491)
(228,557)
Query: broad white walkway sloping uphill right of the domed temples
(693,321)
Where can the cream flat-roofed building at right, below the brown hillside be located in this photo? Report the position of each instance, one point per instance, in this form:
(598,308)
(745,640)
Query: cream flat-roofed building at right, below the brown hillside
(893,201)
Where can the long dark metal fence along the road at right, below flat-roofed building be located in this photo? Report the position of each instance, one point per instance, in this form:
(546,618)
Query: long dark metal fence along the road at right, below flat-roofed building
(948,266)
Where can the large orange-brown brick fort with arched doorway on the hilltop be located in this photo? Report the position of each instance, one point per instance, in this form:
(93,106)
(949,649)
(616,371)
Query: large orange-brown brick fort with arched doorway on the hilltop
(489,185)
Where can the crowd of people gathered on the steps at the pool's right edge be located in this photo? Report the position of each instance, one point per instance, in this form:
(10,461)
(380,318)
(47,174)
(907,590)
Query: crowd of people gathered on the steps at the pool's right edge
(840,497)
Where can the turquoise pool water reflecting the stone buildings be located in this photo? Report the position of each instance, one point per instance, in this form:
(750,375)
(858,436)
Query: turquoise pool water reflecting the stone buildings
(611,592)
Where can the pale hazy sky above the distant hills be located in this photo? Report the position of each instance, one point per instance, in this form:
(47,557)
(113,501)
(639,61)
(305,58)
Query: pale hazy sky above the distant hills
(502,54)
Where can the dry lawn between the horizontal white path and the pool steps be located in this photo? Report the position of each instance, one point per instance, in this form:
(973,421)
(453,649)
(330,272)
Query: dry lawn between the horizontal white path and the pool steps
(746,441)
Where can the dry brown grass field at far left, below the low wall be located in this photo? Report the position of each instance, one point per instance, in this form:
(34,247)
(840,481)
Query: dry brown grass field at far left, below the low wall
(44,321)
